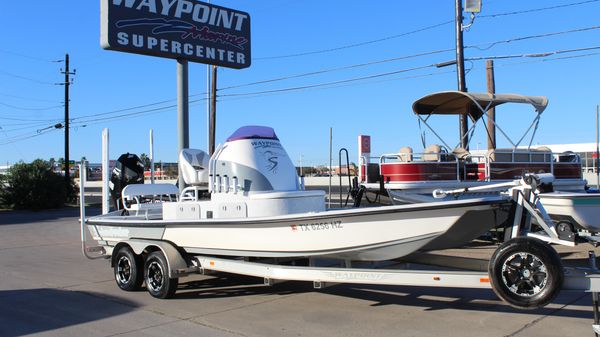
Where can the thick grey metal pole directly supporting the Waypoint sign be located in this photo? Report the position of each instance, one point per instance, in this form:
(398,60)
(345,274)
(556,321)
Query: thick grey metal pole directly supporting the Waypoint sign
(182,111)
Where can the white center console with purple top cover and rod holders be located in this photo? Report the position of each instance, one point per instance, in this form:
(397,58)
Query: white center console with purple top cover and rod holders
(253,160)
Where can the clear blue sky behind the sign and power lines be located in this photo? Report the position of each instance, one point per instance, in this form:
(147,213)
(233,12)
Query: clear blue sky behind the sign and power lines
(36,33)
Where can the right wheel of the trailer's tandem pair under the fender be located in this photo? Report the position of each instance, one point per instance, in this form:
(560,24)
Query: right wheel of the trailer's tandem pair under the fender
(156,274)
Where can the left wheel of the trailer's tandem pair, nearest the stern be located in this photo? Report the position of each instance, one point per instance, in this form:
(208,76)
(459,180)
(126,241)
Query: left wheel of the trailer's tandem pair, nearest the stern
(129,273)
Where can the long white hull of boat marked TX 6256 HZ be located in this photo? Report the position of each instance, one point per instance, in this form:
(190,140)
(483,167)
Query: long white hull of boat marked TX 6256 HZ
(371,234)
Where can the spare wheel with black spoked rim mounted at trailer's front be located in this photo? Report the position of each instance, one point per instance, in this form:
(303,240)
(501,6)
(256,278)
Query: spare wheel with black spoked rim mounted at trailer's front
(526,273)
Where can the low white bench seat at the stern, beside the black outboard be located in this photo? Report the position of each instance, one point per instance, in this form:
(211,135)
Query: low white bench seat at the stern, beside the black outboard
(137,197)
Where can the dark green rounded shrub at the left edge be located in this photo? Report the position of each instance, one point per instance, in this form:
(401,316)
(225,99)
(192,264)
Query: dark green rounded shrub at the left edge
(35,186)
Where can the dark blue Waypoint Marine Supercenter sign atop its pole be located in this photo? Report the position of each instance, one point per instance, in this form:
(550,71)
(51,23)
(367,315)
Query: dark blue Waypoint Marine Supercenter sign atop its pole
(179,29)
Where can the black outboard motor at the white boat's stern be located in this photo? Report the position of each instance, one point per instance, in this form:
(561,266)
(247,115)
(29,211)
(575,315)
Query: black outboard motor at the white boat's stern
(129,169)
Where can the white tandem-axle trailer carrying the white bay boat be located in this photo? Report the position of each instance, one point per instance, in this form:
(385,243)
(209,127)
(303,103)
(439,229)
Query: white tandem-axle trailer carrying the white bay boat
(179,264)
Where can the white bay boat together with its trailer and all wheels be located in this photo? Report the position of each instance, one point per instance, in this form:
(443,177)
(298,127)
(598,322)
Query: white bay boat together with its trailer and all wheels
(259,221)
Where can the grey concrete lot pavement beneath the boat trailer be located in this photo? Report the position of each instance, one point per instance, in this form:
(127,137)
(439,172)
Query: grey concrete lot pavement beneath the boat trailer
(47,287)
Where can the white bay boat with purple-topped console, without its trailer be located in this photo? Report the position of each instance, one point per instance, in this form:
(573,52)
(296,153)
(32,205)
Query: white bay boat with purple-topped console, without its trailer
(258,208)
